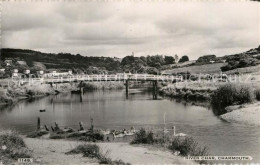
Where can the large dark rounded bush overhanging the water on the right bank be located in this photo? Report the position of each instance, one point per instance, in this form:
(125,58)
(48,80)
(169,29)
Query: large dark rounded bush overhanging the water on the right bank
(230,94)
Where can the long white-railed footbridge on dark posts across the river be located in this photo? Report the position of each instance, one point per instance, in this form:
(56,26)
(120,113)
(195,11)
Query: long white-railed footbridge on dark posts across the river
(96,78)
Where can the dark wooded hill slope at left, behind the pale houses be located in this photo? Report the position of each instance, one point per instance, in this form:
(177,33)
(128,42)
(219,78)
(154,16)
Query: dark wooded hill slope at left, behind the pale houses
(60,60)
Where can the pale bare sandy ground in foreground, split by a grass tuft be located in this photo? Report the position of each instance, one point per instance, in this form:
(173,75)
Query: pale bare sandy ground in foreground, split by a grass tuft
(53,152)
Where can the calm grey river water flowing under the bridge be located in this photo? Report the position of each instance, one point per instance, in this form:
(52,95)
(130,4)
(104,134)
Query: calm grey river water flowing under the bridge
(111,109)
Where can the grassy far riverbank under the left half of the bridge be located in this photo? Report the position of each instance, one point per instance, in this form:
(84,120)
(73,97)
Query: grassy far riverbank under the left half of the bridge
(15,92)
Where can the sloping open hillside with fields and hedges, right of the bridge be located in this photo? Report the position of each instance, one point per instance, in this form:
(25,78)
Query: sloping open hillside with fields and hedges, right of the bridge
(242,62)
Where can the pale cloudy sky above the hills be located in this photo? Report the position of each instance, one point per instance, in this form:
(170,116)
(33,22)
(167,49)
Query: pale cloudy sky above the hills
(95,28)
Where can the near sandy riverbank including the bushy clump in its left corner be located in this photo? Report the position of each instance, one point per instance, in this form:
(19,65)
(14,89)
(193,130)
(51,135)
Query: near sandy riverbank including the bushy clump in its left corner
(50,151)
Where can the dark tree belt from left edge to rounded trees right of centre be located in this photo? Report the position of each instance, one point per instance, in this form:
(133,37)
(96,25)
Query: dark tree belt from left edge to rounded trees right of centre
(88,64)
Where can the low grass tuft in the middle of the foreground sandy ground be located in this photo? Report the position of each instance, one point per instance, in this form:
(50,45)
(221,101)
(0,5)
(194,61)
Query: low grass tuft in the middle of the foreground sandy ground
(94,151)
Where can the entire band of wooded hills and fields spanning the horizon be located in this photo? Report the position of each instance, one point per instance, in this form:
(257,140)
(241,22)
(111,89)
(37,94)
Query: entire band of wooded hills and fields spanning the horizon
(145,64)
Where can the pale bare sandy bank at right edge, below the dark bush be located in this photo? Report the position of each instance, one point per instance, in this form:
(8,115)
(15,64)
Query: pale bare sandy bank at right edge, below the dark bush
(245,114)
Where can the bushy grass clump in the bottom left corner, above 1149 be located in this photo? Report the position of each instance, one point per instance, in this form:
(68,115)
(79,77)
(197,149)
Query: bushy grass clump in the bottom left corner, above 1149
(12,147)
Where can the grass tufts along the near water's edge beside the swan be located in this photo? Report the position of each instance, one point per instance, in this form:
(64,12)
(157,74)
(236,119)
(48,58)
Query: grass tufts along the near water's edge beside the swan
(183,146)
